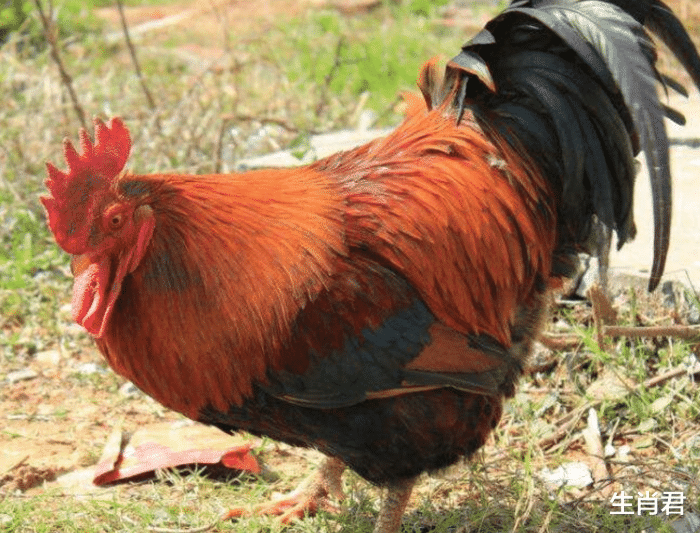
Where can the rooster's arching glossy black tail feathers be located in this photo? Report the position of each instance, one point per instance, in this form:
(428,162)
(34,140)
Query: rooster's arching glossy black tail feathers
(573,83)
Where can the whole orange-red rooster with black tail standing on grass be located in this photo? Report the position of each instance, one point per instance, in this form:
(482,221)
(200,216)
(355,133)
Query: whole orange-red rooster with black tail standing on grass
(379,304)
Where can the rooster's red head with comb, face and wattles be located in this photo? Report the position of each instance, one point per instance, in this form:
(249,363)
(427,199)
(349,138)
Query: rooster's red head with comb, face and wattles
(106,232)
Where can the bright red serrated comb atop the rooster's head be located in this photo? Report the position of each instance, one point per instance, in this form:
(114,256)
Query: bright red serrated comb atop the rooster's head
(92,170)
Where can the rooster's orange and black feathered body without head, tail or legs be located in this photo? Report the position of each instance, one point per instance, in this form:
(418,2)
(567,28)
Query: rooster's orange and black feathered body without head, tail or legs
(350,343)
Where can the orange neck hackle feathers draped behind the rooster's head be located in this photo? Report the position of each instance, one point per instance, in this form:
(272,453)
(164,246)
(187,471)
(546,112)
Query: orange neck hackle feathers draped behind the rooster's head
(232,260)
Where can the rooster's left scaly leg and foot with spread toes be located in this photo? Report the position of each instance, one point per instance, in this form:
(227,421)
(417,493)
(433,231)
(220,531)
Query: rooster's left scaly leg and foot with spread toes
(311,495)
